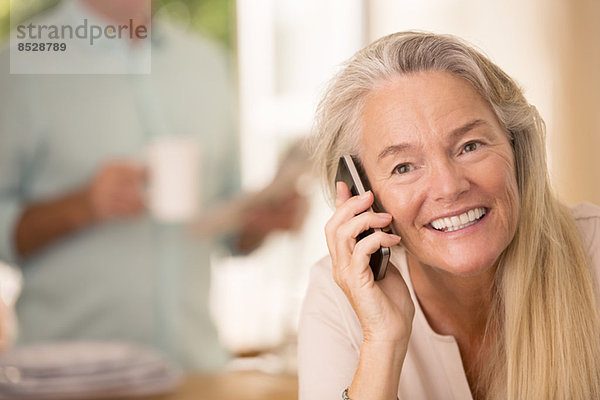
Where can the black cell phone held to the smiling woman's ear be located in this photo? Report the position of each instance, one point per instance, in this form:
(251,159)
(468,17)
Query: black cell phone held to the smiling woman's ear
(351,173)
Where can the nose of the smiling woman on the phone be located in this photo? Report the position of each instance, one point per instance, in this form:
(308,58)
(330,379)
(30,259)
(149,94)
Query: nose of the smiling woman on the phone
(448,181)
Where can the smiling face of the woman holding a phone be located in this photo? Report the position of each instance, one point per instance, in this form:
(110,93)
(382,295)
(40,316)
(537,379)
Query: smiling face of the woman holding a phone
(441,165)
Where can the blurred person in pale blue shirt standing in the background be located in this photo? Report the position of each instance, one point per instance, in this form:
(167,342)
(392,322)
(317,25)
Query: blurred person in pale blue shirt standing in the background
(72,204)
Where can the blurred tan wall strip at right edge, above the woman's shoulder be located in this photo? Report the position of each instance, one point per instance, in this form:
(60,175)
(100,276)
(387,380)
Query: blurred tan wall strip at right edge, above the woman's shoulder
(576,143)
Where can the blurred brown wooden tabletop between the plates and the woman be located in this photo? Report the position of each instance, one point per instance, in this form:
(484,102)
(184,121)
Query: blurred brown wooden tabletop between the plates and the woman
(247,385)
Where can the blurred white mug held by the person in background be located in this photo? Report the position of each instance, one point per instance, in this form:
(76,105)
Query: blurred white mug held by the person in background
(174,166)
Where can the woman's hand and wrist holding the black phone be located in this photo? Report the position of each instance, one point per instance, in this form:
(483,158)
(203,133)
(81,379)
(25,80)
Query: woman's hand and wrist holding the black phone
(384,308)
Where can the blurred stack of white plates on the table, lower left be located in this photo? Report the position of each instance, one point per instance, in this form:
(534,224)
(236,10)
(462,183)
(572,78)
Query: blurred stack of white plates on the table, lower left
(84,370)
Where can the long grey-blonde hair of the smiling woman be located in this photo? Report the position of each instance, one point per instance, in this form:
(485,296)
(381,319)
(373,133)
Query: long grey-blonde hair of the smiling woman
(545,316)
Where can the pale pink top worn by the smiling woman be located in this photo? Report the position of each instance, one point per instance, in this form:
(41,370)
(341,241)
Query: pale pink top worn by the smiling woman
(330,335)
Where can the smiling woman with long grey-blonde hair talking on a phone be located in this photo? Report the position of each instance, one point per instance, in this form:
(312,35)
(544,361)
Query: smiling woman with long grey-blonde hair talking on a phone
(493,292)
